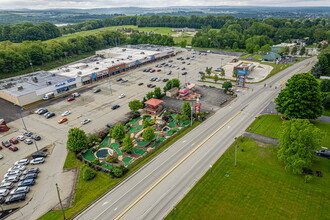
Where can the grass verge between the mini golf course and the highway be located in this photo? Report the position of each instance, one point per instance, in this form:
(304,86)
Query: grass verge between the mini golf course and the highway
(89,191)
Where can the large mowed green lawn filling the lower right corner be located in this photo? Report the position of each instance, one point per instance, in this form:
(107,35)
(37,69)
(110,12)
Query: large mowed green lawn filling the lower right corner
(258,188)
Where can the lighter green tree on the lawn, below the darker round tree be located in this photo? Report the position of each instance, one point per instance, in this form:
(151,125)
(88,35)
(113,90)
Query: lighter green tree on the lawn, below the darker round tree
(298,140)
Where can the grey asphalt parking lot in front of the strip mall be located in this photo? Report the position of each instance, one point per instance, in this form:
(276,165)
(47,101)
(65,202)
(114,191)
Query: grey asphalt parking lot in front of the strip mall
(97,108)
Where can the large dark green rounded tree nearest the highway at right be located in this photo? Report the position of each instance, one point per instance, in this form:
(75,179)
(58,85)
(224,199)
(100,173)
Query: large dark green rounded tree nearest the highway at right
(301,98)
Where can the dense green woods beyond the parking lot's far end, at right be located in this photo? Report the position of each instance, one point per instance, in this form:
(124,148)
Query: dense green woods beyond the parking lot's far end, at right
(252,34)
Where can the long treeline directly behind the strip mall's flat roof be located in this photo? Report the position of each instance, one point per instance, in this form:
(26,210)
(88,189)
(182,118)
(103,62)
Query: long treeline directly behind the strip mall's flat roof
(14,57)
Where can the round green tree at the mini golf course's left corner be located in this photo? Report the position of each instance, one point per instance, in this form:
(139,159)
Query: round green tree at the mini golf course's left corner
(77,140)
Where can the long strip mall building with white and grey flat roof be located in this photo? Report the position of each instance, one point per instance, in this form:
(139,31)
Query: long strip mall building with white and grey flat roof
(32,87)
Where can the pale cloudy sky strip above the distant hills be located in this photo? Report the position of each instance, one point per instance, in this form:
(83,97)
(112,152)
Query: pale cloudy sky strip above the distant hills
(87,4)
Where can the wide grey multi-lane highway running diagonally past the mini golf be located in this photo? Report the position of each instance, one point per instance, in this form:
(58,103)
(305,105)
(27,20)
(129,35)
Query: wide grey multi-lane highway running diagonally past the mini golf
(152,191)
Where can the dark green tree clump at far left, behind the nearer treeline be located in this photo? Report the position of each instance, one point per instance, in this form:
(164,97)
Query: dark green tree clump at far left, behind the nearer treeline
(28,32)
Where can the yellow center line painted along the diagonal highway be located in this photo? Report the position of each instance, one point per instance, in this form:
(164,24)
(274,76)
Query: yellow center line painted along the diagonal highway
(148,190)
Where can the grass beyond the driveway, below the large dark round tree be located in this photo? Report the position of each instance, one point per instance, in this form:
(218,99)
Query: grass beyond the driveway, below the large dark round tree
(270,125)
